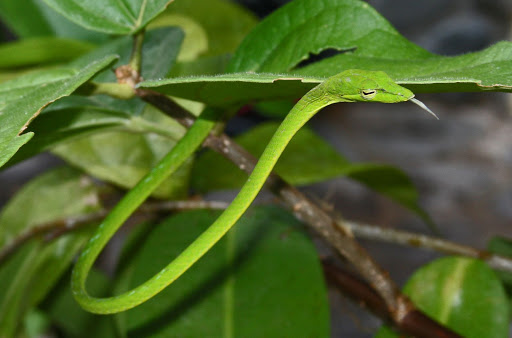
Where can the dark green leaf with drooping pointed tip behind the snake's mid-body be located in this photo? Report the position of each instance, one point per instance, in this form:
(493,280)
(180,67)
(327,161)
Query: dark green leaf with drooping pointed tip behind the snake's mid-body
(307,159)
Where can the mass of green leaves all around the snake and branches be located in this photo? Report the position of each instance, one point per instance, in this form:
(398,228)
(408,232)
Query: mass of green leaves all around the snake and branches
(248,284)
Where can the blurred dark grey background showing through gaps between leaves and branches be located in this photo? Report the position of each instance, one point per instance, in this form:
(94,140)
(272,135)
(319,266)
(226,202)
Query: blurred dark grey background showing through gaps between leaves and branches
(462,164)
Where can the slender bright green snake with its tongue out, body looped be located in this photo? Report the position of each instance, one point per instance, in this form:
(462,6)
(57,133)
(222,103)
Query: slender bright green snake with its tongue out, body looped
(348,86)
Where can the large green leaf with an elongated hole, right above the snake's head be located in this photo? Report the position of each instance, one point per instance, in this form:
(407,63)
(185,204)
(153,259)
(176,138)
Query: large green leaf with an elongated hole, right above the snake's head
(367,41)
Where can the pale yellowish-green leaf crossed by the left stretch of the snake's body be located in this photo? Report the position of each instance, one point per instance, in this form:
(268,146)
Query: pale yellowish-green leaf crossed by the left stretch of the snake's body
(124,158)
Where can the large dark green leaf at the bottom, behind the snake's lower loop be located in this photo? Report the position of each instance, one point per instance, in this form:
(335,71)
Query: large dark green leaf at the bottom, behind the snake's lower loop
(245,286)
